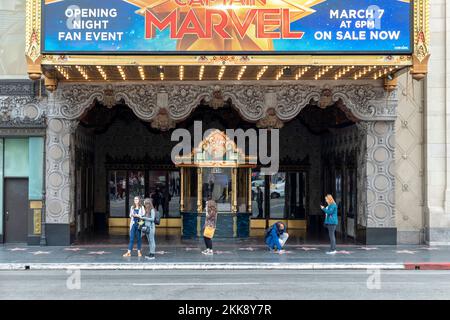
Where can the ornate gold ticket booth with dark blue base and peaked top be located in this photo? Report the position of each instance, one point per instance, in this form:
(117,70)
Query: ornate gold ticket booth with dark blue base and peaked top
(216,168)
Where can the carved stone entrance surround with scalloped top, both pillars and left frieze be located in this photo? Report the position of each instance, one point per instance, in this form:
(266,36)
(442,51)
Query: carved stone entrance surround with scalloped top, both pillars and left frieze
(374,108)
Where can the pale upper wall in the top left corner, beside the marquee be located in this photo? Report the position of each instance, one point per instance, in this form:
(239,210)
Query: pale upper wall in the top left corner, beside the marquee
(12,39)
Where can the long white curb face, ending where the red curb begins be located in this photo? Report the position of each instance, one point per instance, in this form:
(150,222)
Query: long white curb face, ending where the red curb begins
(201,266)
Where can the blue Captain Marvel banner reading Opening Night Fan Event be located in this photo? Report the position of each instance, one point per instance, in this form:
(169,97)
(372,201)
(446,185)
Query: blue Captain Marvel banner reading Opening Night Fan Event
(227,26)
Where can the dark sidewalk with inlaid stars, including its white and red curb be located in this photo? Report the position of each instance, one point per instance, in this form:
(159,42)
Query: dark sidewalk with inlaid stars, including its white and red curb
(237,255)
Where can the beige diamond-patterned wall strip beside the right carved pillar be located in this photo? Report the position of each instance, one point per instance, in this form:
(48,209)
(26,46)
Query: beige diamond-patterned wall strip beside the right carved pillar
(409,180)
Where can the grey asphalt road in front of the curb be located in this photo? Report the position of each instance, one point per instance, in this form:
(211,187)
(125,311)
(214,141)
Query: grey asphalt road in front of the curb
(233,285)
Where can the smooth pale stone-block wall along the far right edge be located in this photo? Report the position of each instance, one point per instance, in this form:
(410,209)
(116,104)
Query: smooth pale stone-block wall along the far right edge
(437,133)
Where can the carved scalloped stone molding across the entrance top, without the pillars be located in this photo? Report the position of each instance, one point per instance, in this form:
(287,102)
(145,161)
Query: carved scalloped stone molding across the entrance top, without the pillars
(362,102)
